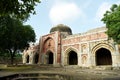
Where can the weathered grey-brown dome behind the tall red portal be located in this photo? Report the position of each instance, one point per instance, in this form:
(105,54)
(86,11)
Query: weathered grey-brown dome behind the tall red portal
(61,28)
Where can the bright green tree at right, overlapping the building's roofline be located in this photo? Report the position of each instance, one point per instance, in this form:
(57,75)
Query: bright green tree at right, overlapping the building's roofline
(112,20)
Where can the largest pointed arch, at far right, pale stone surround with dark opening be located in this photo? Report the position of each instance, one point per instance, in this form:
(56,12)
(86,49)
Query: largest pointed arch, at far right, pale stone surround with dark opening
(102,54)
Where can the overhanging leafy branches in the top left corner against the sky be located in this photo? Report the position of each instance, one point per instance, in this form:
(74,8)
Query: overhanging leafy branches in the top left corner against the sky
(19,9)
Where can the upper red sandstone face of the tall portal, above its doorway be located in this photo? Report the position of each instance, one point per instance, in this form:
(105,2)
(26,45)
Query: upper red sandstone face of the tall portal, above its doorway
(51,42)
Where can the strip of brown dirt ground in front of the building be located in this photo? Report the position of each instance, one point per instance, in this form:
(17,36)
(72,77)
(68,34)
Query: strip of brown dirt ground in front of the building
(79,73)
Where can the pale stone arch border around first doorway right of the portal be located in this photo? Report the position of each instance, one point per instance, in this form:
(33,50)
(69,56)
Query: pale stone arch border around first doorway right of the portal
(66,52)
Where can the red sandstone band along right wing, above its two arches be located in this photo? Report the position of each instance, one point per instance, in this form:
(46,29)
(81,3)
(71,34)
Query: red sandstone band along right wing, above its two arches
(74,41)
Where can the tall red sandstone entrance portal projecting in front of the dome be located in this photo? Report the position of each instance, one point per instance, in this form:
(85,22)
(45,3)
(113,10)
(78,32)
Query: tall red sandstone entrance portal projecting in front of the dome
(50,43)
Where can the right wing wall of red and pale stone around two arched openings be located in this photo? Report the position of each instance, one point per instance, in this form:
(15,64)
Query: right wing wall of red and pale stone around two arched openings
(86,46)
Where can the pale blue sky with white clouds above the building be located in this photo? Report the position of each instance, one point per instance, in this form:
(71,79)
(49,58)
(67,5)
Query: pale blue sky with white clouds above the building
(79,15)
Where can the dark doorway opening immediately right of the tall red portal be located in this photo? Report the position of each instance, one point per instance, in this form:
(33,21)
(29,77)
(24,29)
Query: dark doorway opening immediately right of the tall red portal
(72,58)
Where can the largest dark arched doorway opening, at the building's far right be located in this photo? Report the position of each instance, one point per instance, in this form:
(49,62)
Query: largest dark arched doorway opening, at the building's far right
(103,57)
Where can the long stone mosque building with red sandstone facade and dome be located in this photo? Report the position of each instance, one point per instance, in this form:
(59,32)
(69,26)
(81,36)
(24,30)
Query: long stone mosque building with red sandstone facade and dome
(62,48)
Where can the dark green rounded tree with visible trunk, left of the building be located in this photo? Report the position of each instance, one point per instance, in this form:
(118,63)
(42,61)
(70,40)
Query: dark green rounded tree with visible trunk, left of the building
(14,36)
